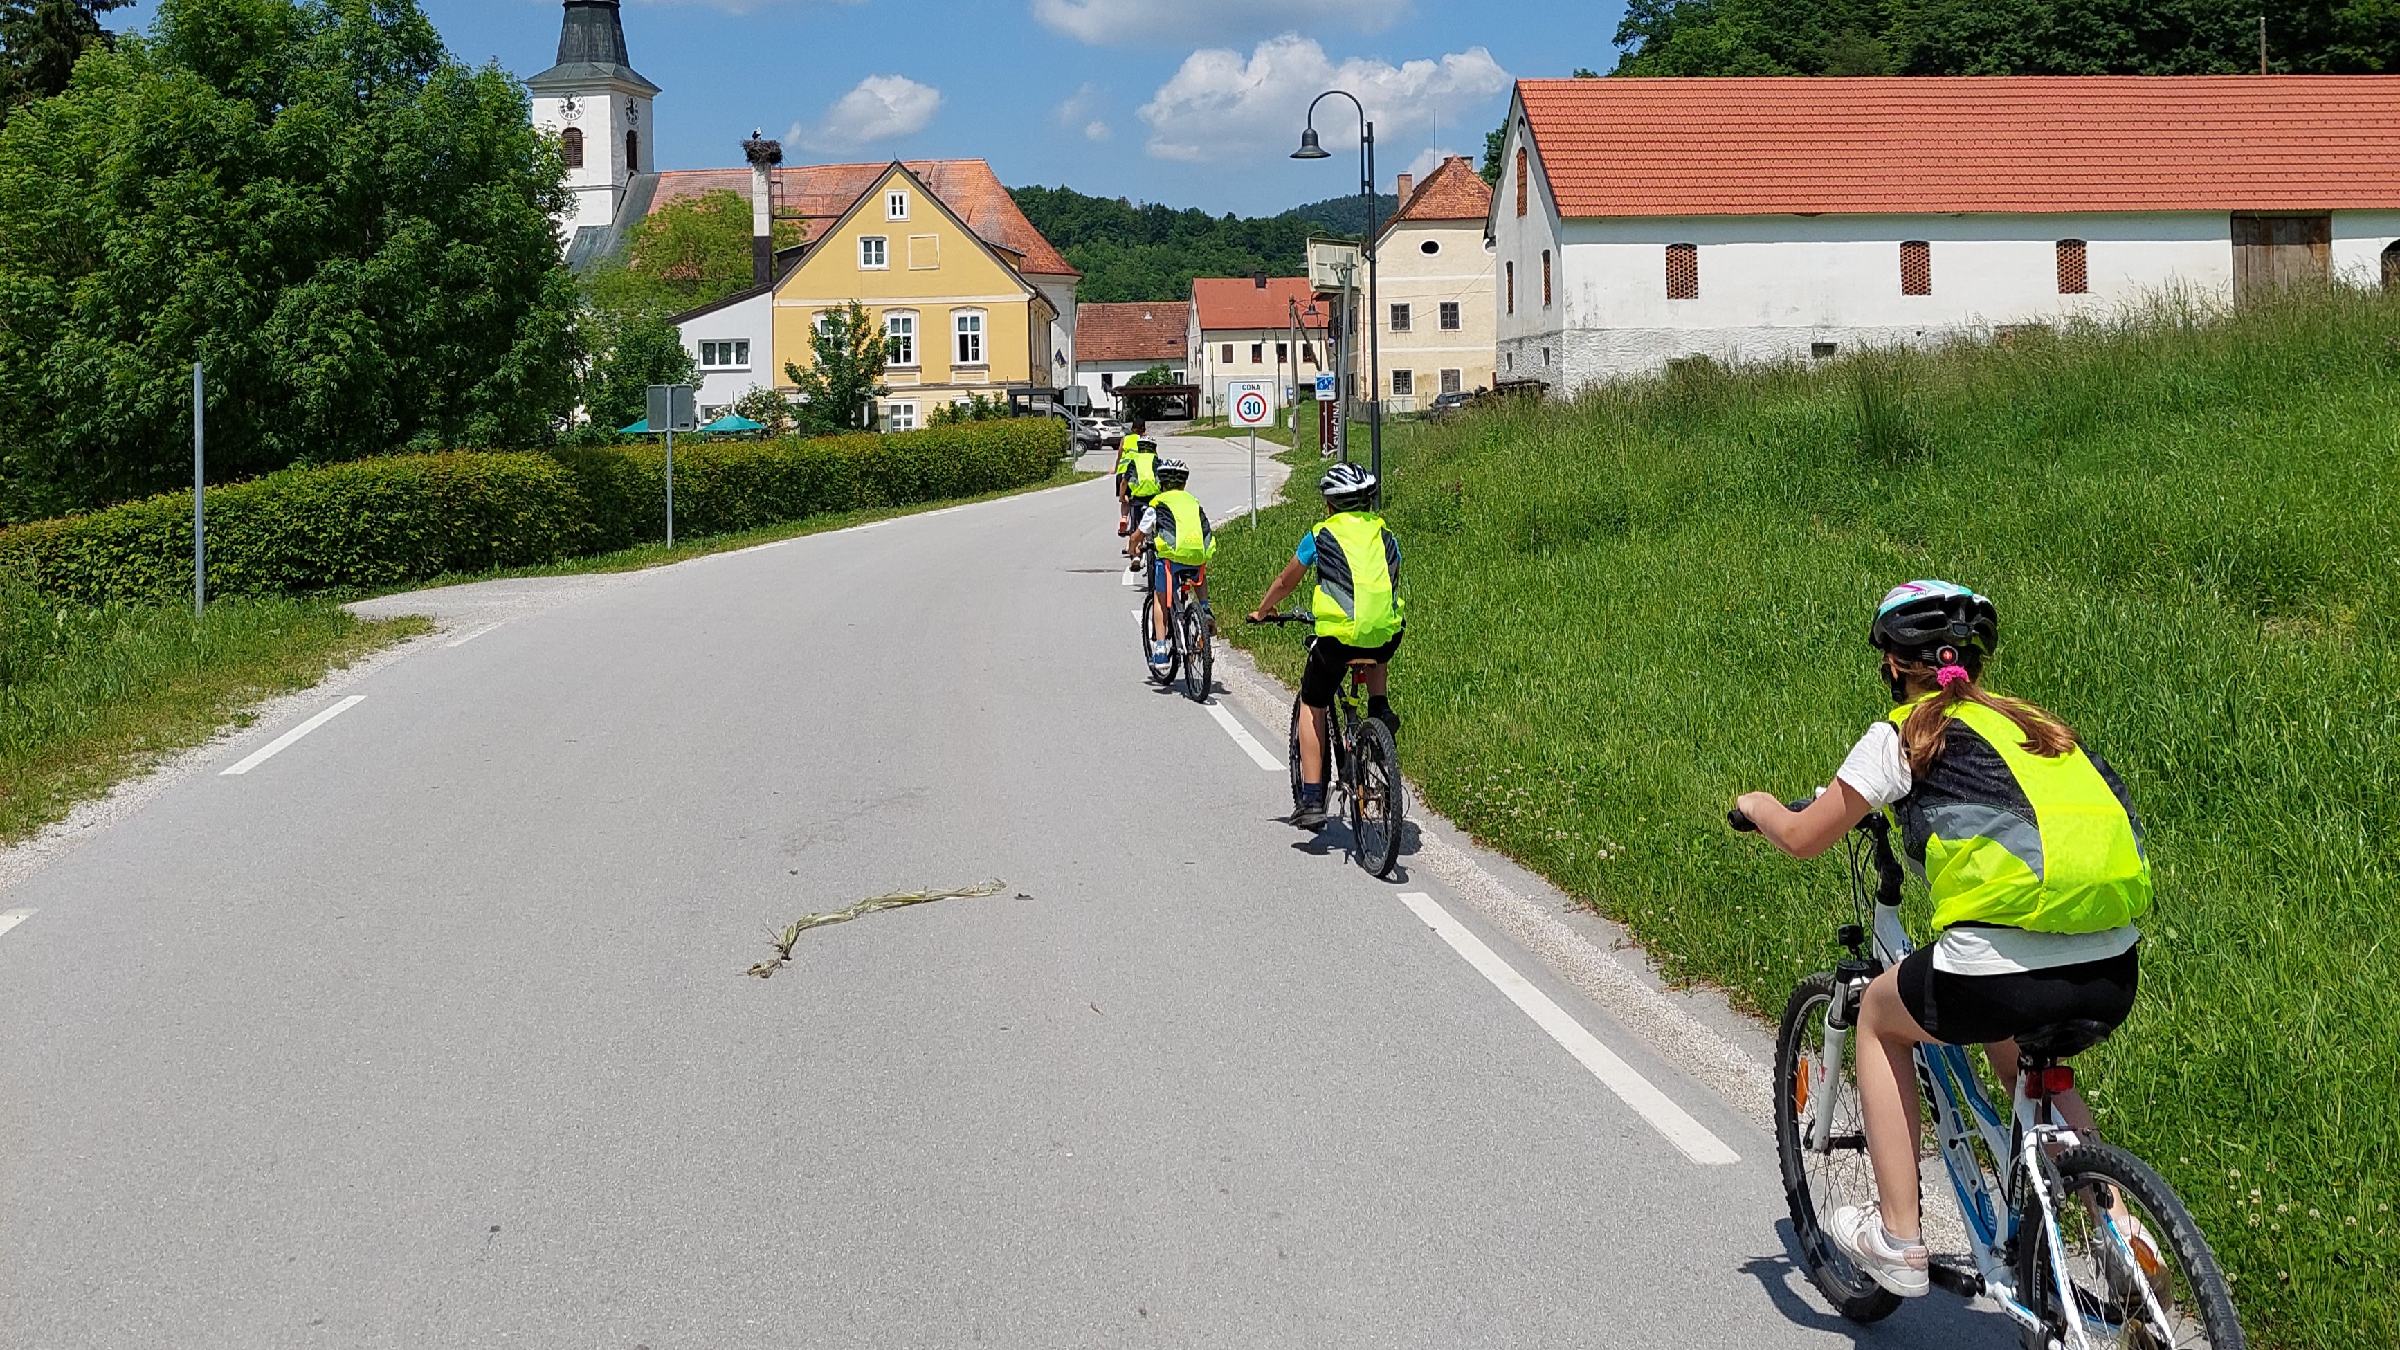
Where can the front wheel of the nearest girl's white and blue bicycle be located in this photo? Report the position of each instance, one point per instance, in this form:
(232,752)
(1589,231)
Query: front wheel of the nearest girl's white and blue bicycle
(1820,1183)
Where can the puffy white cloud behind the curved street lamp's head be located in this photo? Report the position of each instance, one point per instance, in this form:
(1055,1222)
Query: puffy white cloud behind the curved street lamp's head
(1223,104)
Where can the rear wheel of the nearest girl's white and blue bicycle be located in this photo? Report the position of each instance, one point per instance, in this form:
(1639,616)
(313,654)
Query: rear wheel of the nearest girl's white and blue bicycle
(2140,1272)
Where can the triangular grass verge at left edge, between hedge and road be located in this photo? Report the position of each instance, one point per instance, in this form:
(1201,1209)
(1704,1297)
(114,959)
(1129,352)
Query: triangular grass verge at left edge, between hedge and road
(95,695)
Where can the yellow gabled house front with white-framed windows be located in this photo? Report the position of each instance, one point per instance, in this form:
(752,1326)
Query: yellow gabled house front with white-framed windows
(956,311)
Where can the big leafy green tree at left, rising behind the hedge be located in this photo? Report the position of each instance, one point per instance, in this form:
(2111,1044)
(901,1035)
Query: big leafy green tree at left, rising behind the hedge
(352,229)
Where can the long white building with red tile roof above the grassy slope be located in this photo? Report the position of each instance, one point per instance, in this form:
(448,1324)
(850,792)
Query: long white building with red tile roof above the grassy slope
(1770,220)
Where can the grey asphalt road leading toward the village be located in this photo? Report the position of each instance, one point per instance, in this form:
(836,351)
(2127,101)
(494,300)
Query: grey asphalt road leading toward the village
(431,1029)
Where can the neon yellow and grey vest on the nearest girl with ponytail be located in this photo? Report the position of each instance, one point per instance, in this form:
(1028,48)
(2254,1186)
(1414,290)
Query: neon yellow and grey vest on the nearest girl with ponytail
(2008,837)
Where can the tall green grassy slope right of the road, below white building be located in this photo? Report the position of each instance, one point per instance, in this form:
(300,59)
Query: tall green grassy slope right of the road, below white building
(1631,609)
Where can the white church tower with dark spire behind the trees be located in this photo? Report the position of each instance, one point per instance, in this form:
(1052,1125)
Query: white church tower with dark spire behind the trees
(601,109)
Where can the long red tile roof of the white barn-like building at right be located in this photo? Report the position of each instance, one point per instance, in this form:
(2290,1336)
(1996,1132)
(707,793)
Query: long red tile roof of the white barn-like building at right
(1751,148)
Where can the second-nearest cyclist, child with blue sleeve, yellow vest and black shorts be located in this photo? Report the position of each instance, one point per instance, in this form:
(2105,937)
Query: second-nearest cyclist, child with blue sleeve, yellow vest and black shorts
(1360,616)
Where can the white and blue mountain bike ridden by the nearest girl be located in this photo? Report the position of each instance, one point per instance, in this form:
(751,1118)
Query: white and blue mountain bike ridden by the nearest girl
(2080,1243)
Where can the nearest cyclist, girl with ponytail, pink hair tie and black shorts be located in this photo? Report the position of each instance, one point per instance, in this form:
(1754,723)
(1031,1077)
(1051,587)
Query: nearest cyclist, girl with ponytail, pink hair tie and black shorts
(2036,868)
